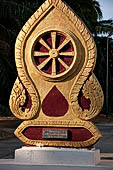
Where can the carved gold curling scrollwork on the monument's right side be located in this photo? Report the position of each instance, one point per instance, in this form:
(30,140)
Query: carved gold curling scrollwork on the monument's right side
(91,90)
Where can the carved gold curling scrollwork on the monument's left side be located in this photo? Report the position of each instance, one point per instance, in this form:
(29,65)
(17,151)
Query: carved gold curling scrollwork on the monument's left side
(18,99)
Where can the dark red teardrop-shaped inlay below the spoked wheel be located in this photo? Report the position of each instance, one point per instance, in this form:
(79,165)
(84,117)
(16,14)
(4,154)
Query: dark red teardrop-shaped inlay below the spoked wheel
(55,103)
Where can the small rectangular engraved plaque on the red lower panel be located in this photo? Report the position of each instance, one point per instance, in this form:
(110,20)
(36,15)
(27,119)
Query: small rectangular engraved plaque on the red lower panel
(55,134)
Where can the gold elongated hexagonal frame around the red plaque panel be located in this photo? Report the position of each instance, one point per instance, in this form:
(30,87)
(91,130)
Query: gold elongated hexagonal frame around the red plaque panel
(88,125)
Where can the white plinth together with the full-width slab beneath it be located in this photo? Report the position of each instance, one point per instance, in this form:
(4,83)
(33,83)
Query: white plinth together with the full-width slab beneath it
(41,158)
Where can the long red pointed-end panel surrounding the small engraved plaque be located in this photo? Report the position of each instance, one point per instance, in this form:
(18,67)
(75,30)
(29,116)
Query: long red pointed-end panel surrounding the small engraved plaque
(75,134)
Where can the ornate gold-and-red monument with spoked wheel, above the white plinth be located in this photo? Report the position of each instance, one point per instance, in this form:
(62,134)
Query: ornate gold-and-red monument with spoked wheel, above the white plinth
(56,92)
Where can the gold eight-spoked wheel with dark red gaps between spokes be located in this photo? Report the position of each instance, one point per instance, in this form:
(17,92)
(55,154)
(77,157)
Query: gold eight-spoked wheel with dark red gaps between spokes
(54,53)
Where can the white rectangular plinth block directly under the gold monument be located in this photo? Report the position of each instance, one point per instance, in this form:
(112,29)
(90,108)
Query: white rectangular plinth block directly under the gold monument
(57,156)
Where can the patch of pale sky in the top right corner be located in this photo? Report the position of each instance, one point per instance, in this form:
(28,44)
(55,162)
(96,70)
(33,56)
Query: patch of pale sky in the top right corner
(107,8)
